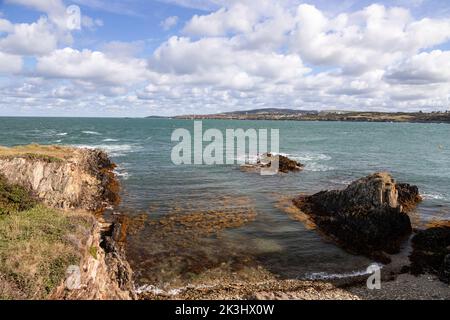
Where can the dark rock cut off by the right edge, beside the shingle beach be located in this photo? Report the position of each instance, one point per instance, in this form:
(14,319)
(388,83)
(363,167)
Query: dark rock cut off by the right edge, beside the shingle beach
(431,252)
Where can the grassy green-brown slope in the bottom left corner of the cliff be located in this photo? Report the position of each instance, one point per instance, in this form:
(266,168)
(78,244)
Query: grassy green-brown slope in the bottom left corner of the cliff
(37,244)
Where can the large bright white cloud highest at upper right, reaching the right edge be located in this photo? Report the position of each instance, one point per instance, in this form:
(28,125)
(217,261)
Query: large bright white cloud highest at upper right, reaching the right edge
(365,40)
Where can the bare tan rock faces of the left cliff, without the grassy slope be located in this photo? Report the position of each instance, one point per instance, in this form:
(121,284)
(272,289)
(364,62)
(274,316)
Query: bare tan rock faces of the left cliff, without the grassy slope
(82,179)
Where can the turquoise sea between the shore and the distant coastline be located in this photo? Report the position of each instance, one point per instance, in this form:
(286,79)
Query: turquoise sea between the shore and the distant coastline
(335,153)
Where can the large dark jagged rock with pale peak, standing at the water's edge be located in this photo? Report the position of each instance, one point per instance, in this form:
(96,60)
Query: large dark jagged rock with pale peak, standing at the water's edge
(367,217)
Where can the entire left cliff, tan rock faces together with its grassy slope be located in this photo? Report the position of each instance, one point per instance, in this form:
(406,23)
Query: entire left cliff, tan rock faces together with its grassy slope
(73,186)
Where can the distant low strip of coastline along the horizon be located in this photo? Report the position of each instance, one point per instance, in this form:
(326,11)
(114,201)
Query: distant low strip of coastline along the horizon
(299,115)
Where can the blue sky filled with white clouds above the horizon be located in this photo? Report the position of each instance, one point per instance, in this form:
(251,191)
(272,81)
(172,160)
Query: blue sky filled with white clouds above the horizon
(134,58)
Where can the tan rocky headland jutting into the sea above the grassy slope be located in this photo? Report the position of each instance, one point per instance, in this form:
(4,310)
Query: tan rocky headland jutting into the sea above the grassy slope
(83,179)
